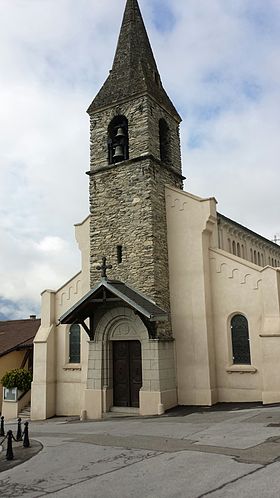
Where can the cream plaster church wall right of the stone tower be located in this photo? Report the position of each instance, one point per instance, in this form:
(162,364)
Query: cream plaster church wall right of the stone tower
(208,286)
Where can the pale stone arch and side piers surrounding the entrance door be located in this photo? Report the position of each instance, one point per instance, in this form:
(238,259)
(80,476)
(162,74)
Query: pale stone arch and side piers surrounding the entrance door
(158,390)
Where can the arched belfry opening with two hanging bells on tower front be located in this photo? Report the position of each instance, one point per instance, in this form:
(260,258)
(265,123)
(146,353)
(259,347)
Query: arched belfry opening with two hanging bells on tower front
(118,140)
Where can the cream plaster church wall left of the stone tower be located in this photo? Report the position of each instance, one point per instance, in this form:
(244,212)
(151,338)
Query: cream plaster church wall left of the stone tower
(57,384)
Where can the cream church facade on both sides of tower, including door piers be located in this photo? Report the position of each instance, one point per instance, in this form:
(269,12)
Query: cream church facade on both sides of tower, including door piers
(208,285)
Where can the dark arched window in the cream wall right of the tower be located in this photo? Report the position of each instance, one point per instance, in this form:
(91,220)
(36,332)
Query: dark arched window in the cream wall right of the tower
(240,340)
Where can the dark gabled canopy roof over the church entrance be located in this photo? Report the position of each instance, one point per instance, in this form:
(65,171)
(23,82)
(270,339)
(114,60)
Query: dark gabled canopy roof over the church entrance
(109,292)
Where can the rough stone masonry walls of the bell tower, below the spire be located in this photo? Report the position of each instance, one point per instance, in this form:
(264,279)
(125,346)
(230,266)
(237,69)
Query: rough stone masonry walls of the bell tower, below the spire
(128,201)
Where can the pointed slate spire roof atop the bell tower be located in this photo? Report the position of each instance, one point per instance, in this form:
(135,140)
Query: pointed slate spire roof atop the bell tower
(134,70)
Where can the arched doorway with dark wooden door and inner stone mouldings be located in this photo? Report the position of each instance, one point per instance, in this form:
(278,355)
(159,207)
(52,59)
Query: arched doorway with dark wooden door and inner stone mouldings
(121,337)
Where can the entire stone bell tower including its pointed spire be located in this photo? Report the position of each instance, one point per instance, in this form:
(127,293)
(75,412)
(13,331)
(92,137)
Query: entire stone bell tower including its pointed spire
(134,153)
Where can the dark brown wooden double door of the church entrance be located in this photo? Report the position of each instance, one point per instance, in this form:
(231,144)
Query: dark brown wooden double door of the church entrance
(127,373)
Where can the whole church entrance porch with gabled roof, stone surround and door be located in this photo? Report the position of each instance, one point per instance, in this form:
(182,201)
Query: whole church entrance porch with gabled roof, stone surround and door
(140,371)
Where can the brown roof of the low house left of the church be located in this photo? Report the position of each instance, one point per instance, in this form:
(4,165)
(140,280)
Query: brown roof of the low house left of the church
(17,334)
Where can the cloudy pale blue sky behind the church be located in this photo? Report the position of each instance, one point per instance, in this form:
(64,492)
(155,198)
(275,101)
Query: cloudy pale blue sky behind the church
(219,62)
